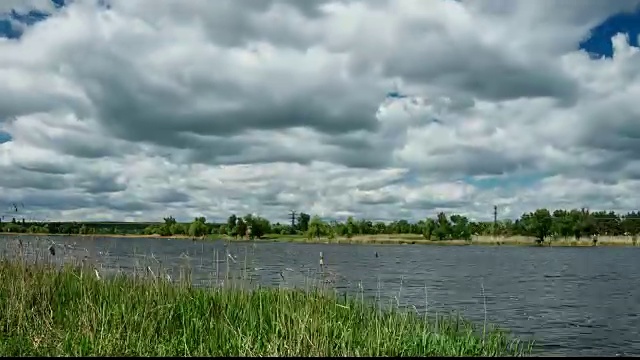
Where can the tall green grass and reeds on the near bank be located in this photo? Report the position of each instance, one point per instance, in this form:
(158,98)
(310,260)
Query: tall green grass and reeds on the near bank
(49,311)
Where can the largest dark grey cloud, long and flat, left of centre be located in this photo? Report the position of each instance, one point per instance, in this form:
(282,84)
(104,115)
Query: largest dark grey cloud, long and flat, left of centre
(137,111)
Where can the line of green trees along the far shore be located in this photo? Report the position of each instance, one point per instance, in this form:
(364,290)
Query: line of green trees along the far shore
(539,225)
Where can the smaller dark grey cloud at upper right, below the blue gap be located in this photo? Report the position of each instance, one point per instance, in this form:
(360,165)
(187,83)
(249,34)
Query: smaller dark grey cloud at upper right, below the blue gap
(487,75)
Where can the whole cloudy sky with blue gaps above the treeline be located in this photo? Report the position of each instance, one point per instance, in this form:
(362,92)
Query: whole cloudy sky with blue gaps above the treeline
(131,110)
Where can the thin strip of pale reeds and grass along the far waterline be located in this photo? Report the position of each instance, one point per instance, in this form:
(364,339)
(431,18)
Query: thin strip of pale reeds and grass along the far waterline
(398,239)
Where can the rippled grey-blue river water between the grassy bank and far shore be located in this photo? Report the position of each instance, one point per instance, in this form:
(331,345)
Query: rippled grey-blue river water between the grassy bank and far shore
(571,301)
